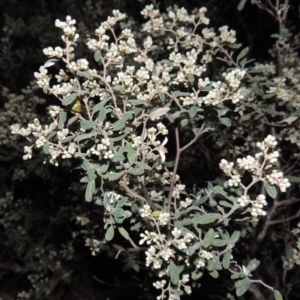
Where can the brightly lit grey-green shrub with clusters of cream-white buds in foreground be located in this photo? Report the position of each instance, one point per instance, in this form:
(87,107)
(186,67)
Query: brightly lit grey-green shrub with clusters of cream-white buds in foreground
(142,111)
